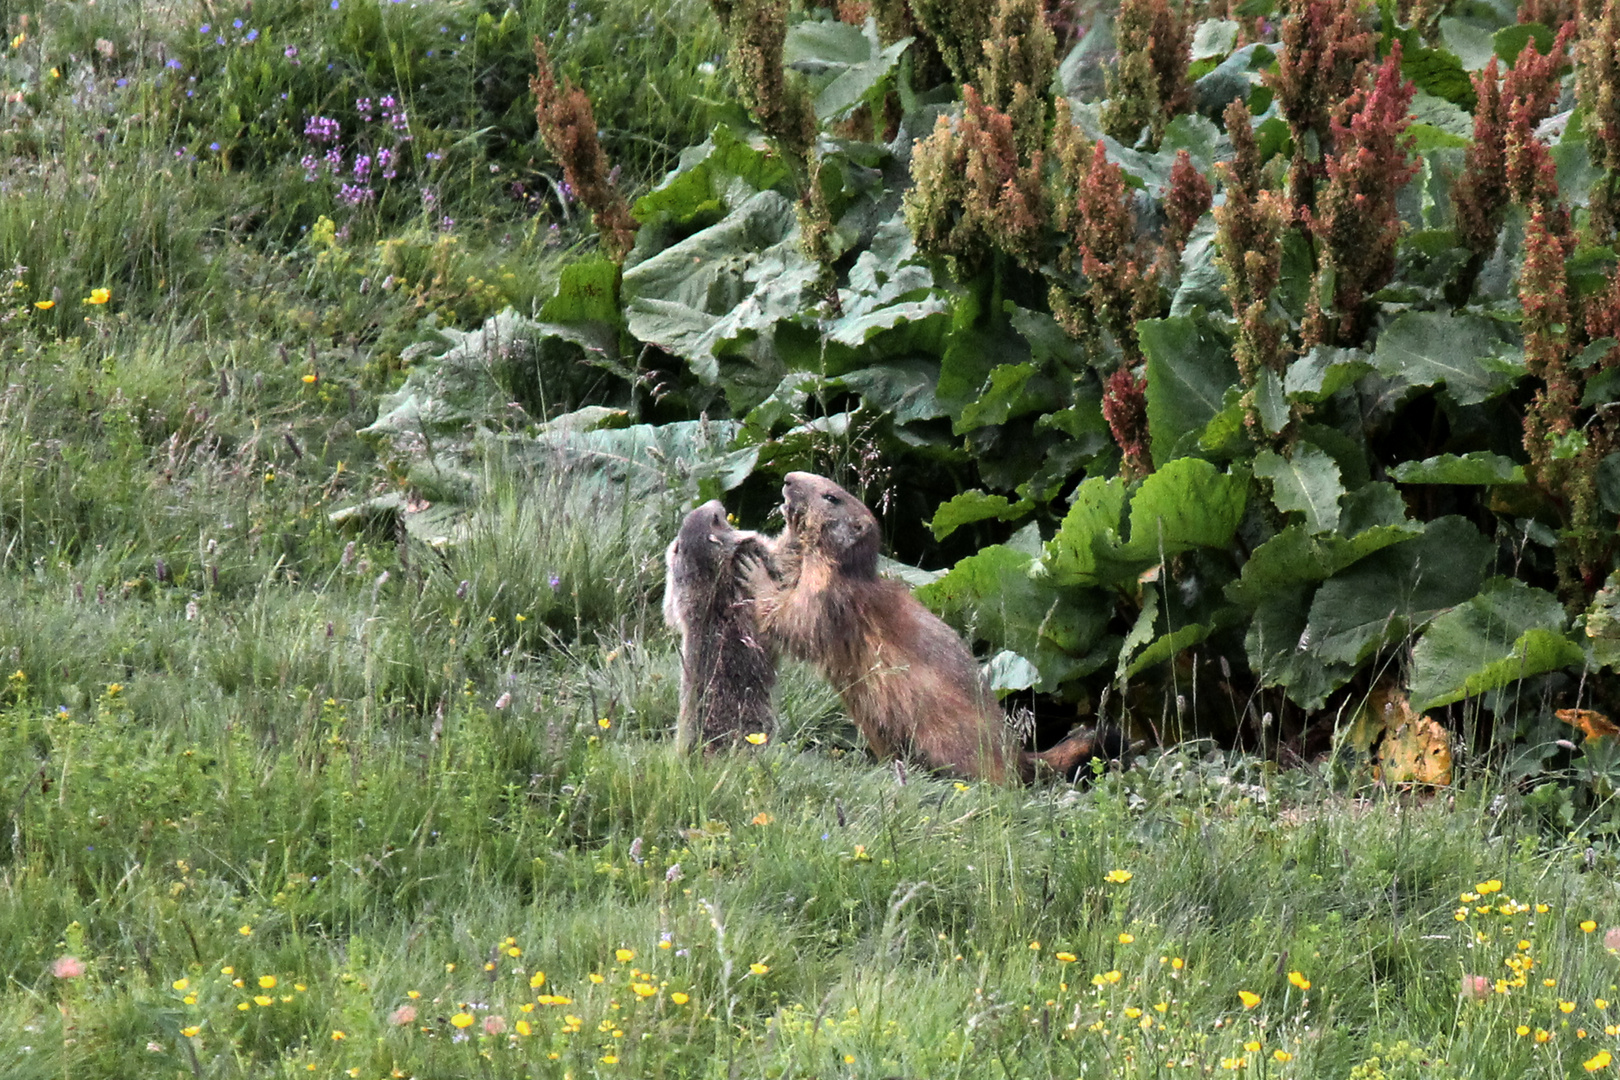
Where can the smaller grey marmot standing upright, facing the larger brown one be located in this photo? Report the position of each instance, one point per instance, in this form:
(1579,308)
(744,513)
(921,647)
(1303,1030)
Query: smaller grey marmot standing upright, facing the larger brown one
(727,671)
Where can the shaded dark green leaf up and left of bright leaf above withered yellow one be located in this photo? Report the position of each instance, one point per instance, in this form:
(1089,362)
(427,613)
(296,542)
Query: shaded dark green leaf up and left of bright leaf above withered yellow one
(1392,592)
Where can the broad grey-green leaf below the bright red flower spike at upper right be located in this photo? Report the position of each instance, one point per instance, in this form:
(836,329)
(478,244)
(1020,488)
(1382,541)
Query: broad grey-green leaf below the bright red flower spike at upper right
(1467,354)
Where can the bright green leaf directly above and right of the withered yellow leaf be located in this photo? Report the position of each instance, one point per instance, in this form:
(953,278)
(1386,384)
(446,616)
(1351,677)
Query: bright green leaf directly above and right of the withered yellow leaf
(1506,634)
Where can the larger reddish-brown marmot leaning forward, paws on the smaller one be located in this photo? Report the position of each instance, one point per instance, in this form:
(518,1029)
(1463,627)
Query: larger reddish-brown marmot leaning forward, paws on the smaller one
(908,679)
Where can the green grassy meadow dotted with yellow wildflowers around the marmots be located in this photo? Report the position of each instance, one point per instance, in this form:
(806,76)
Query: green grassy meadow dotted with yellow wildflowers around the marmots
(288,796)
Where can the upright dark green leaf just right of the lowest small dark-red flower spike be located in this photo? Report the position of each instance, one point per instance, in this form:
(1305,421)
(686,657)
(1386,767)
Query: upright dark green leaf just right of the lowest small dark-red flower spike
(1188,372)
